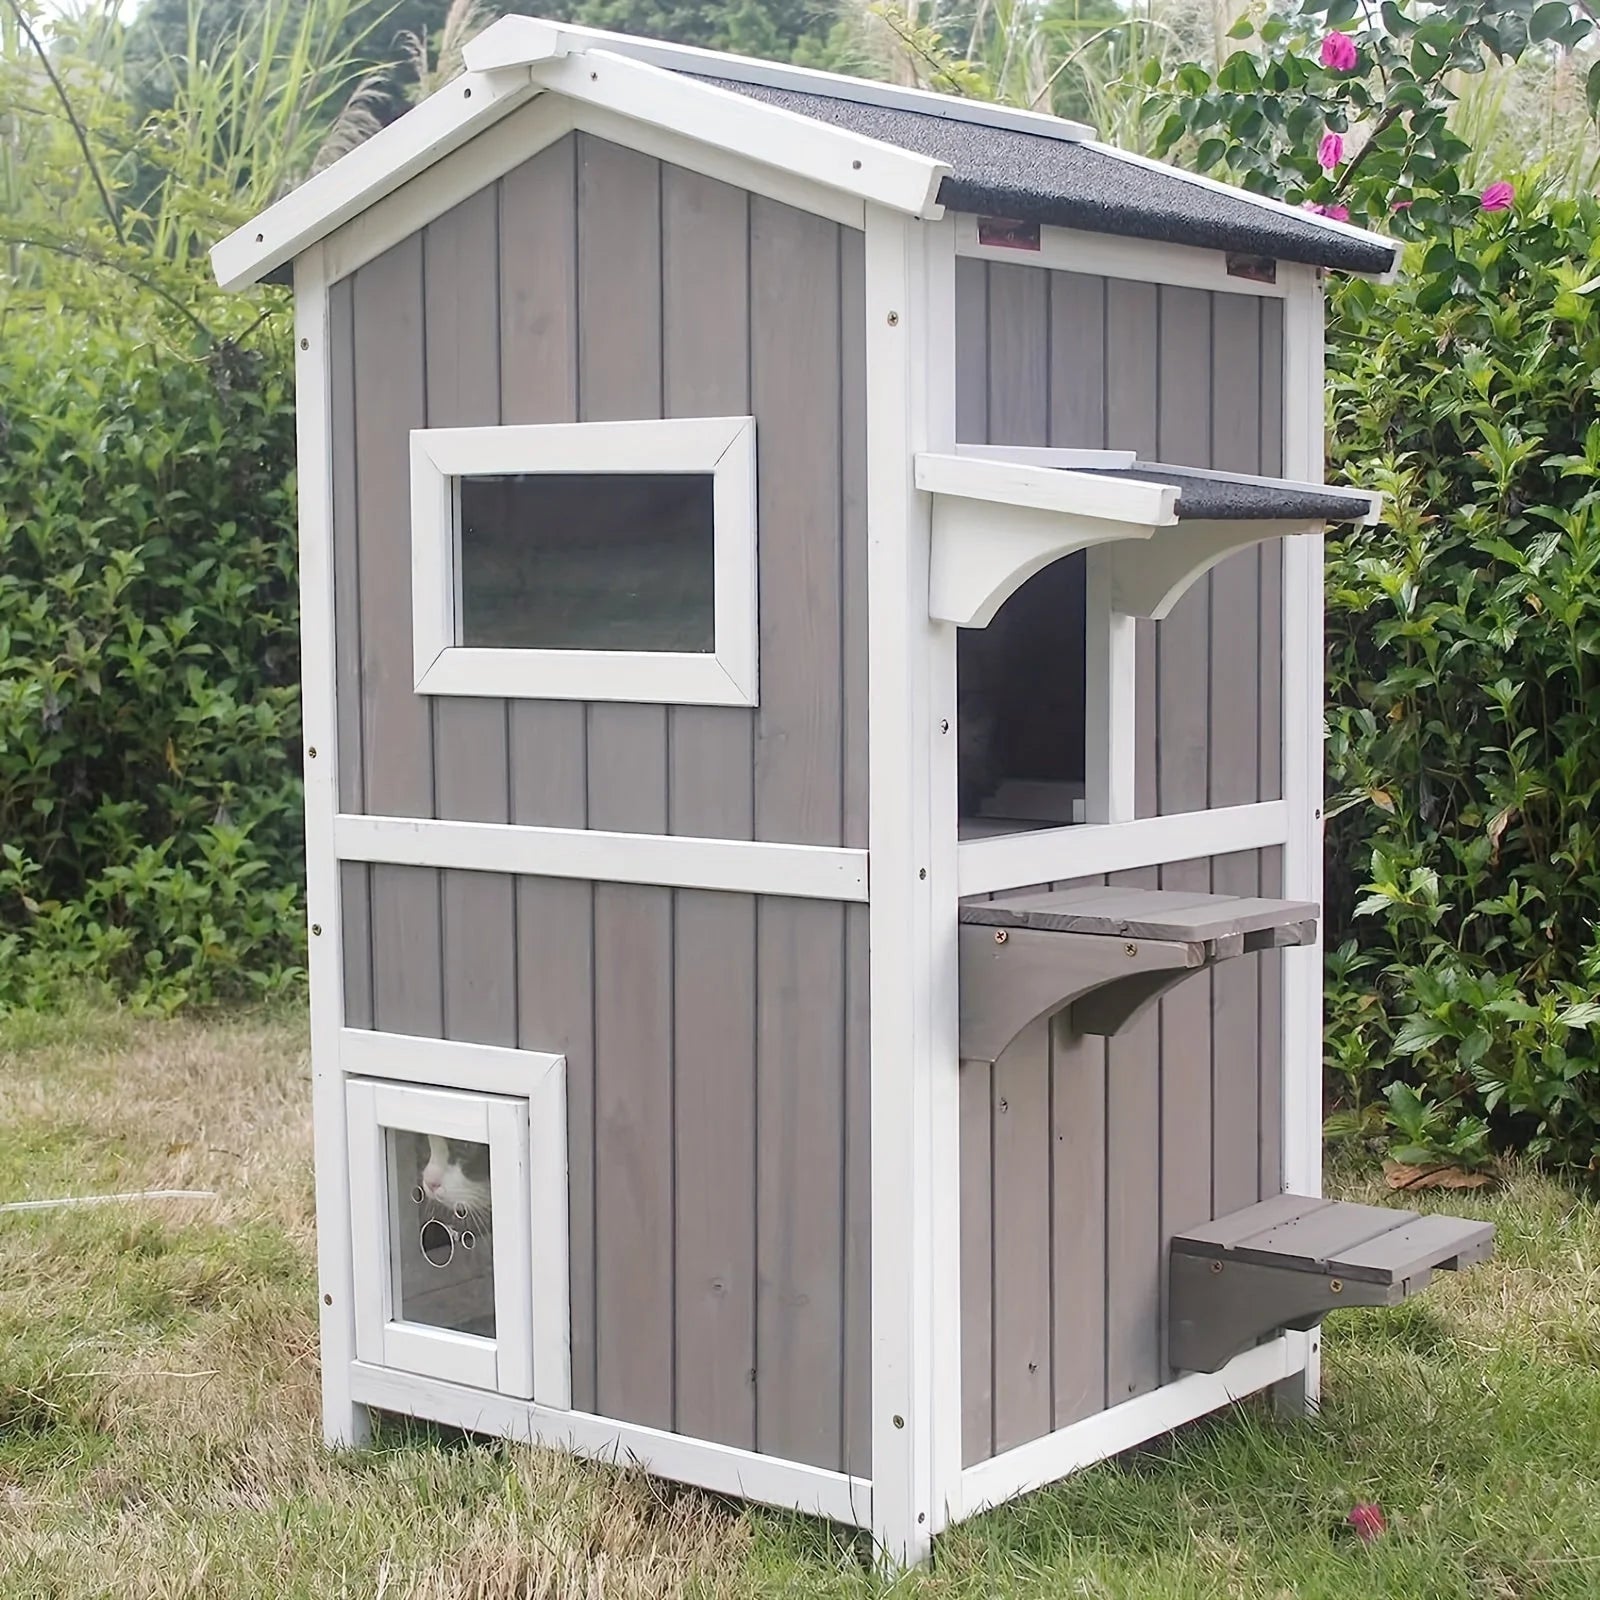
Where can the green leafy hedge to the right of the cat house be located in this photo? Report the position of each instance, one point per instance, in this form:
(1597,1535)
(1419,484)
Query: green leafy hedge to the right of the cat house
(1465,737)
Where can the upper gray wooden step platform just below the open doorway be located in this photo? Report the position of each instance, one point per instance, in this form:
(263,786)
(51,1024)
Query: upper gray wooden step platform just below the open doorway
(1106,953)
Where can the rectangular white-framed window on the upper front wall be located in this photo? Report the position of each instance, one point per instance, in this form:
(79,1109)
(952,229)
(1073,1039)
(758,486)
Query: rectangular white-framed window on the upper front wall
(586,561)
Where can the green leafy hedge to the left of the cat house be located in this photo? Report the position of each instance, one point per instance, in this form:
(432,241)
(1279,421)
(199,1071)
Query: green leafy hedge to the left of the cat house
(150,708)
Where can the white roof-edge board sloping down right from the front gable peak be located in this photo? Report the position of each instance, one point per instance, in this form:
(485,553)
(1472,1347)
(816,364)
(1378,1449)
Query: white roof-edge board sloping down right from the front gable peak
(836,158)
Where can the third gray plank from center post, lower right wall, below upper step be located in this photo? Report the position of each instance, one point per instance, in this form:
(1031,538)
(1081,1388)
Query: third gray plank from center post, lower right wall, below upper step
(1078,1238)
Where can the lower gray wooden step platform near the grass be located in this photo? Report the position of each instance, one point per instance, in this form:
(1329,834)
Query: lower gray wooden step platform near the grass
(1289,1262)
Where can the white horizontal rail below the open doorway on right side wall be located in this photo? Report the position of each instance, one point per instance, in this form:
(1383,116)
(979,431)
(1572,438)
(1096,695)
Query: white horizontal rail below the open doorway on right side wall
(1010,862)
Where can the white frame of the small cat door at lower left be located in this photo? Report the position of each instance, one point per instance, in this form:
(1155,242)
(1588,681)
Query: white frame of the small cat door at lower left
(495,1094)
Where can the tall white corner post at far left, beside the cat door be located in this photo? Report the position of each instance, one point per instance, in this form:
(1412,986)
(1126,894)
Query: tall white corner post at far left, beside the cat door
(343,1422)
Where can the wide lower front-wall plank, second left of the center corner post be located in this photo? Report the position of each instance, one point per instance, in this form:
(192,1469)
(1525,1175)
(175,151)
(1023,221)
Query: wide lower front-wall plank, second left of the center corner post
(801,1182)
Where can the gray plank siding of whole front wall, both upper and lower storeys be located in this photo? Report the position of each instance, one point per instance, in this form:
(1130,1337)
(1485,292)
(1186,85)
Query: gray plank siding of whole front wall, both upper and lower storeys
(716,1292)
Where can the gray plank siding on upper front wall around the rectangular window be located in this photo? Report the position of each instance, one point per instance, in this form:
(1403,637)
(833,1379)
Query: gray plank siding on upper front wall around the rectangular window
(599,284)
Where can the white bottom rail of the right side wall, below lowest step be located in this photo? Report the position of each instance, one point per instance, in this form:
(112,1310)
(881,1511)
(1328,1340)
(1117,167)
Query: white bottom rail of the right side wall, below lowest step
(1121,1428)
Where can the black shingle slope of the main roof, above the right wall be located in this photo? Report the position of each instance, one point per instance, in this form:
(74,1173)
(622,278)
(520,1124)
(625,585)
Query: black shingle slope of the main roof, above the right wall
(1034,178)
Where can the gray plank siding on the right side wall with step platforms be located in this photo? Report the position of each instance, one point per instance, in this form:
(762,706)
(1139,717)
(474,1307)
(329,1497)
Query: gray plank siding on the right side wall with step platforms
(1082,1158)
